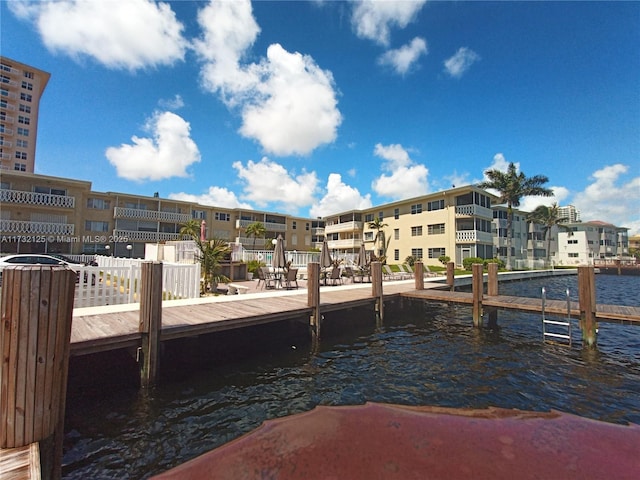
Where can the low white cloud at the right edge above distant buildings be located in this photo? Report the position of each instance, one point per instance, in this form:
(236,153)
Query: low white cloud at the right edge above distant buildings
(612,197)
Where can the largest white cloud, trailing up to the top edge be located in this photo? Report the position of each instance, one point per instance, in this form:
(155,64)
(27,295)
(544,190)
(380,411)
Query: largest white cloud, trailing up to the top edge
(288,103)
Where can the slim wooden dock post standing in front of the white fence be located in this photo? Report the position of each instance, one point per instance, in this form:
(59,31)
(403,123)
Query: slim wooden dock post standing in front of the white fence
(150,321)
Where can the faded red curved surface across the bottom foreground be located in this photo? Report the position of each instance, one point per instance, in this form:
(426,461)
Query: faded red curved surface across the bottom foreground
(393,441)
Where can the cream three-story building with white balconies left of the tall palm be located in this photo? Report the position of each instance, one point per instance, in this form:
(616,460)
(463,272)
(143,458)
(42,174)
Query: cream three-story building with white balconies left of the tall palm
(455,223)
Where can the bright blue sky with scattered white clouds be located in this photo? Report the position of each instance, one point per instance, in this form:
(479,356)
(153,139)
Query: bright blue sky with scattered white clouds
(313,108)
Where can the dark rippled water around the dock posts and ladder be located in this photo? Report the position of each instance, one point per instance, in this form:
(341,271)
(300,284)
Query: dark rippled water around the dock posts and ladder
(423,355)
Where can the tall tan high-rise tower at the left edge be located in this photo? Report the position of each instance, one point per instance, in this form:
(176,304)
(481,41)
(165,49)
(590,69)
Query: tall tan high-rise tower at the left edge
(21,87)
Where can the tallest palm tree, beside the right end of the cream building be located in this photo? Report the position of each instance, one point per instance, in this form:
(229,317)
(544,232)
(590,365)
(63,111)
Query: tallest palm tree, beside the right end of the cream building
(511,187)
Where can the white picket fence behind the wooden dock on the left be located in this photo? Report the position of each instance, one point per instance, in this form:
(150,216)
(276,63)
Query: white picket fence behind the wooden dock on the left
(117,281)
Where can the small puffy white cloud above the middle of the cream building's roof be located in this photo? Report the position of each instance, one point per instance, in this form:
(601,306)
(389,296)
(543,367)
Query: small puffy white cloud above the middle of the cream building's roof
(406,180)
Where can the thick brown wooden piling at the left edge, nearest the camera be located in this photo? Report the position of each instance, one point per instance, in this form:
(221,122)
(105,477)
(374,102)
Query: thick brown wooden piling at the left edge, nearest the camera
(37,308)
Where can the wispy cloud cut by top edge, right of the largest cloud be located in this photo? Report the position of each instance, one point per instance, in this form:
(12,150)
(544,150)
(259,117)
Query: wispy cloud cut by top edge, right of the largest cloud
(373,19)
